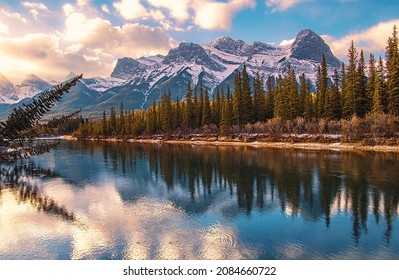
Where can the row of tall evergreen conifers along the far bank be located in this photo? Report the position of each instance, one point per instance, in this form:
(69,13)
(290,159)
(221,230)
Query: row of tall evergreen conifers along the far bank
(355,91)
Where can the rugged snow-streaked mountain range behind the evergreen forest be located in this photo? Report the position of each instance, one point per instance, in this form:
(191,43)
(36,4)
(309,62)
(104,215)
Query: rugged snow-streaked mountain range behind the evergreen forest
(137,82)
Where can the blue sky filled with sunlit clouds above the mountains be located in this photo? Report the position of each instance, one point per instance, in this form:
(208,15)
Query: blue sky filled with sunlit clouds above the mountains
(53,38)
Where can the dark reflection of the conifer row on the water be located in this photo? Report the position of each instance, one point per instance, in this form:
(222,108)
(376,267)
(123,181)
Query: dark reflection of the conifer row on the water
(315,185)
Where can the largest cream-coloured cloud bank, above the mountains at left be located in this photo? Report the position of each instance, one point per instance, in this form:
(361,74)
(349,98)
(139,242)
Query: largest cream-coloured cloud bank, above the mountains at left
(87,44)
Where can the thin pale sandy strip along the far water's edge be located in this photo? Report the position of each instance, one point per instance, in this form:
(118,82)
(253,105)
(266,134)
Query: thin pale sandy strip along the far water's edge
(334,146)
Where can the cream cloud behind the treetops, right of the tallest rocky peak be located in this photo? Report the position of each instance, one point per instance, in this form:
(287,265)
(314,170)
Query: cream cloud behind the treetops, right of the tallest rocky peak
(371,40)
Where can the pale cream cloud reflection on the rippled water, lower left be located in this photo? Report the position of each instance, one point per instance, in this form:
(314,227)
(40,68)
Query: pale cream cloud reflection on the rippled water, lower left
(110,228)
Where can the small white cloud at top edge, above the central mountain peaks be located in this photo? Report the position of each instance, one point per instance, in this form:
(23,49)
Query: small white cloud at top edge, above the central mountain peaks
(213,15)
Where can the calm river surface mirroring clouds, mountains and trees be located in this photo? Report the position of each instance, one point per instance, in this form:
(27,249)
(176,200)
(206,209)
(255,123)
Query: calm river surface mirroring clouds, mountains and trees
(153,201)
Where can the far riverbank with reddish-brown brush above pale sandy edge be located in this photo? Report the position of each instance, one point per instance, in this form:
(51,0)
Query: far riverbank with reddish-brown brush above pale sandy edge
(308,142)
